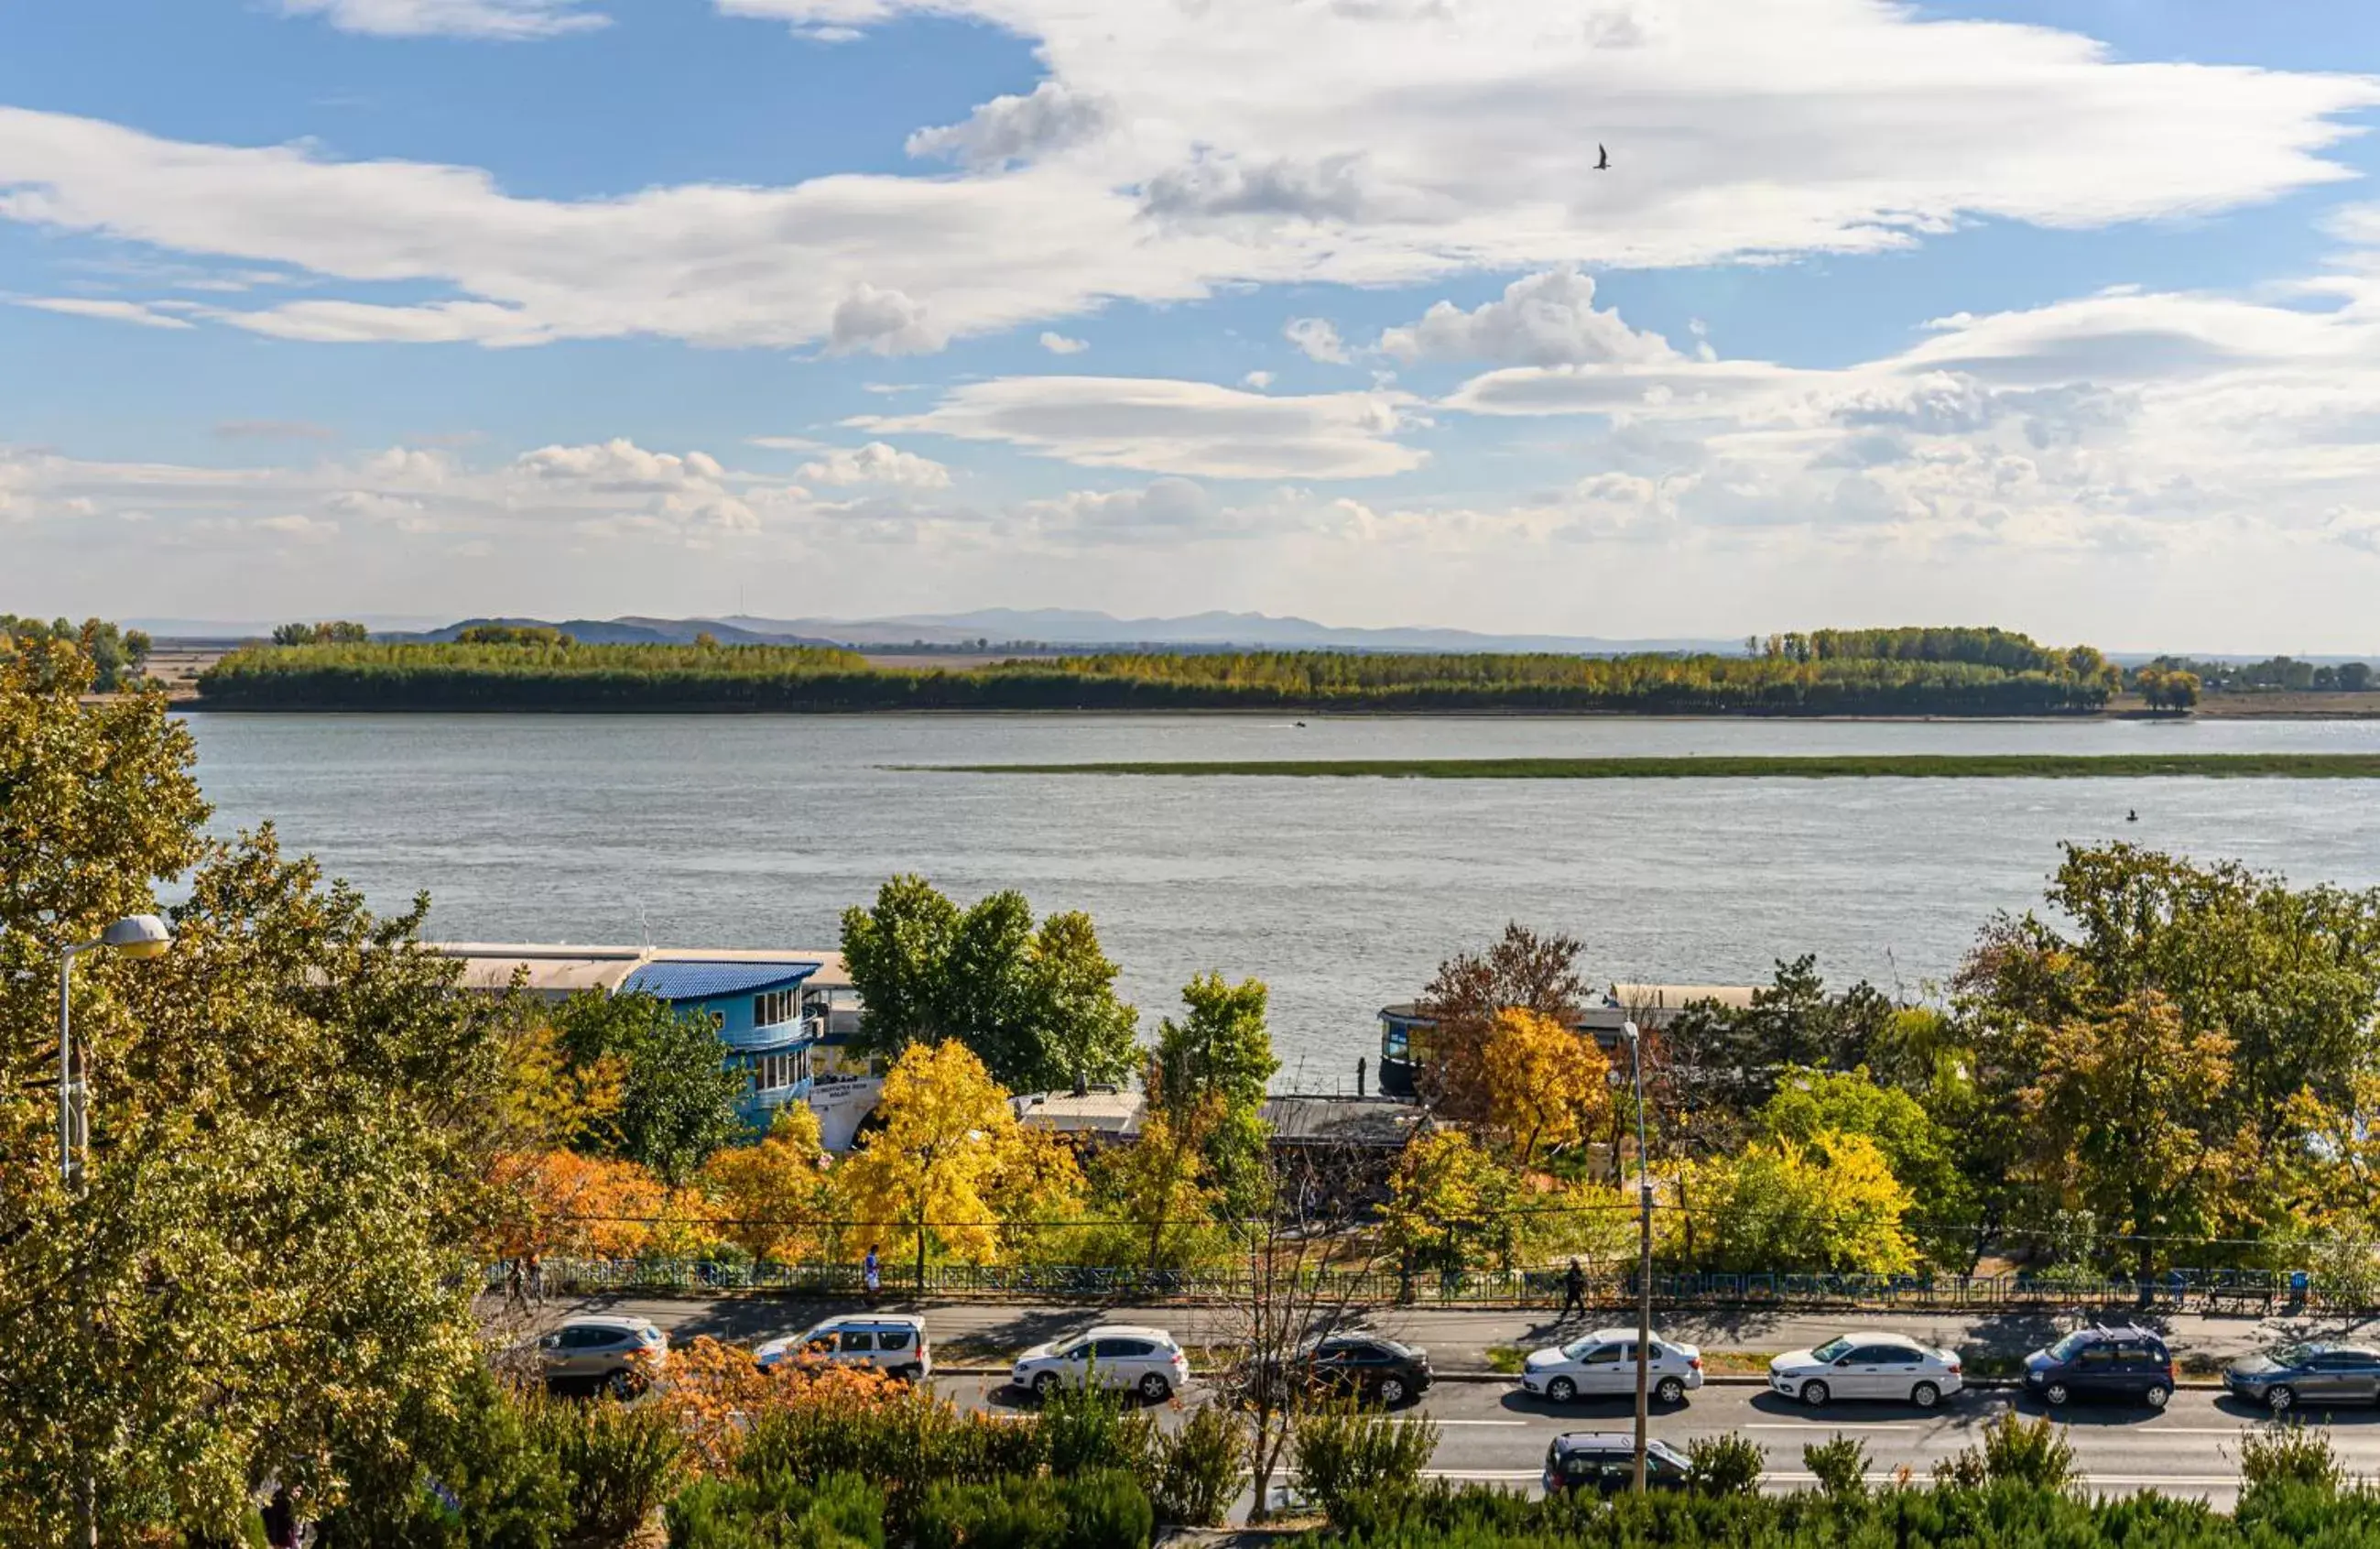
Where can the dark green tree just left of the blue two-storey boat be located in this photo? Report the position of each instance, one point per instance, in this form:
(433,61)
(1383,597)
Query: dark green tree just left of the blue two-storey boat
(677,1093)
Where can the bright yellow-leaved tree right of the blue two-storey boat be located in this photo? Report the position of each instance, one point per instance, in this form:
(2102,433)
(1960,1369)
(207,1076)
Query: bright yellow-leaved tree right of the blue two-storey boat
(944,1160)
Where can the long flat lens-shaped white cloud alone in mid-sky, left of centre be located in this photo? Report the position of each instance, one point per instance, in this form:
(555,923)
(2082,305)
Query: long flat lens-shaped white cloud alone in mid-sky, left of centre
(1177,427)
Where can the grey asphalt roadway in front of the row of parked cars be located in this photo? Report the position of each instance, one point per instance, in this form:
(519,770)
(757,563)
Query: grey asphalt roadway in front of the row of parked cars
(1498,1436)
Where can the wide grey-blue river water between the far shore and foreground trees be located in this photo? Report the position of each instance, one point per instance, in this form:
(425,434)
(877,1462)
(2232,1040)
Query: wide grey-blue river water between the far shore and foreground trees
(756,832)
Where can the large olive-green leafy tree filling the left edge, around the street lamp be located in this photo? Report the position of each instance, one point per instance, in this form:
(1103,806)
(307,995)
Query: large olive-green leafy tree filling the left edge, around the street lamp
(287,1129)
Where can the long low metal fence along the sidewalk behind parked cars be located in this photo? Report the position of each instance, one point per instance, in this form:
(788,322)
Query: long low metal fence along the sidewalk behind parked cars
(2177,1291)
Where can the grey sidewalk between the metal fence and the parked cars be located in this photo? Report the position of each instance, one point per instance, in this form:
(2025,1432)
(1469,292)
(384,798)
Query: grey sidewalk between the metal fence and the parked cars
(1463,1338)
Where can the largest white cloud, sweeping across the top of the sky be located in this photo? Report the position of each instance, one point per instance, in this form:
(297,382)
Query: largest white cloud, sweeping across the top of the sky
(1367,144)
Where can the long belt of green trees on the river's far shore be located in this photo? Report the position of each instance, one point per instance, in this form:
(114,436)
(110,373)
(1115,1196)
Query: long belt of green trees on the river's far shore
(1915,672)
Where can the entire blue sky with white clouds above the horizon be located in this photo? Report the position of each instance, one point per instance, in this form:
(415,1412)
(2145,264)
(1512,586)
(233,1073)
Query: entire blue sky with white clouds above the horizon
(2060,318)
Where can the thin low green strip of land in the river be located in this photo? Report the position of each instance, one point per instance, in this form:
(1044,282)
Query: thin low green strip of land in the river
(1750,767)
